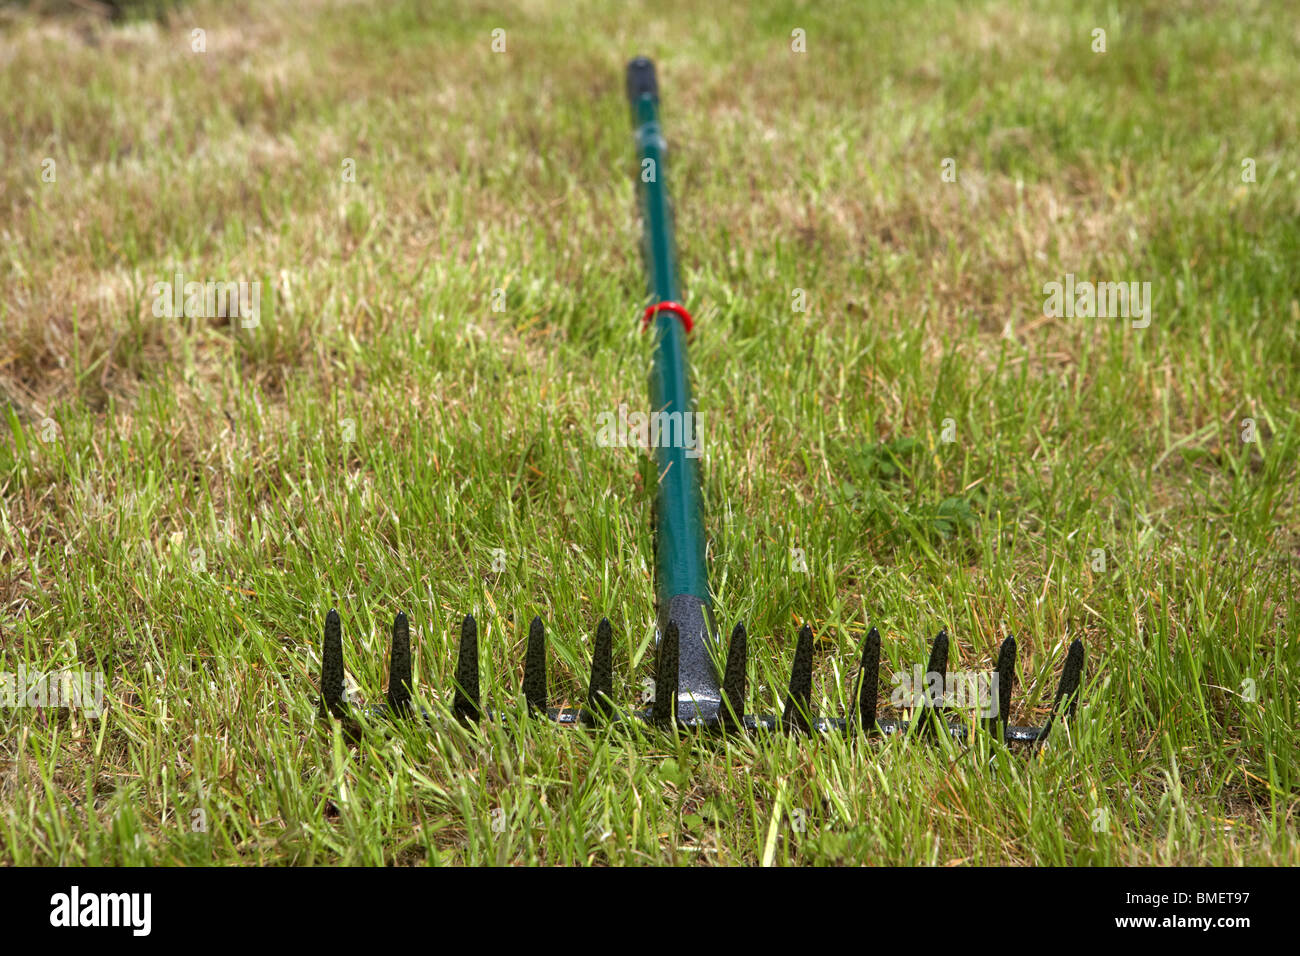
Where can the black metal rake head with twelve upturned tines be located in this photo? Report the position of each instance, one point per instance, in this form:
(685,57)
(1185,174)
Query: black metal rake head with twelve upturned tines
(723,716)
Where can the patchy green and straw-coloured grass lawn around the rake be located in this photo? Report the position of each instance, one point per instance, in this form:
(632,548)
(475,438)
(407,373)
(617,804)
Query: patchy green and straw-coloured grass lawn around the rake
(185,499)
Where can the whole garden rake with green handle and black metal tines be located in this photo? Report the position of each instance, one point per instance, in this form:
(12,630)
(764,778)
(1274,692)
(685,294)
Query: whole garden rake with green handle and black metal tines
(688,691)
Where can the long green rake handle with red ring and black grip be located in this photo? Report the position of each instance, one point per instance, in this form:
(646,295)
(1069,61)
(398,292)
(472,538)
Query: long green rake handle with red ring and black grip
(682,570)
